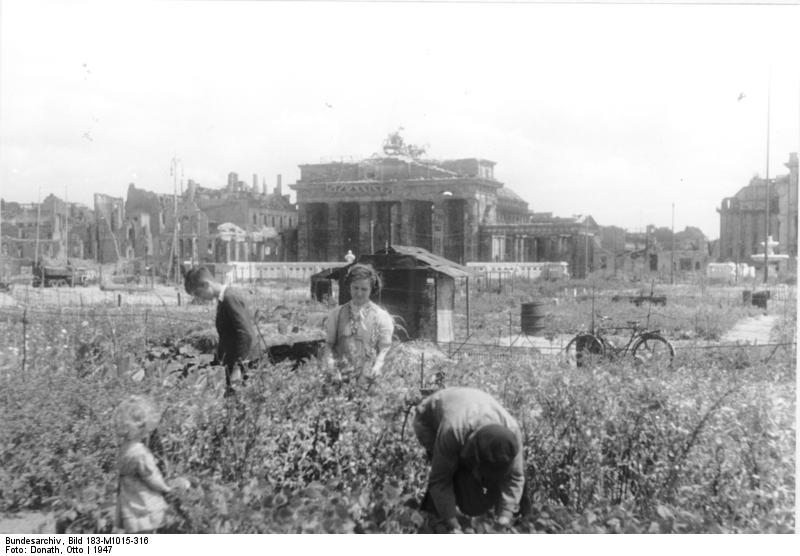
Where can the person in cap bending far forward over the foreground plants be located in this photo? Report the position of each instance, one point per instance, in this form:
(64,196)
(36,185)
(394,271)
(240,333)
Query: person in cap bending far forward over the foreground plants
(475,449)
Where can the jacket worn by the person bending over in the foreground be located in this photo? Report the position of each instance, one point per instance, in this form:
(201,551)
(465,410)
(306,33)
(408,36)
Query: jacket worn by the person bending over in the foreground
(445,424)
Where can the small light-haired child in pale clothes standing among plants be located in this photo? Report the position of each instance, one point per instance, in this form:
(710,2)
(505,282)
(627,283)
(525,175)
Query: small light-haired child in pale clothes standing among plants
(141,506)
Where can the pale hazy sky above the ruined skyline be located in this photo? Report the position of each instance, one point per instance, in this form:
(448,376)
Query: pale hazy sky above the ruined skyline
(613,110)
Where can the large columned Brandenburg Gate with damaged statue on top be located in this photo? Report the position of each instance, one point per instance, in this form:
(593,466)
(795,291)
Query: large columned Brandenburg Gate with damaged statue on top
(453,208)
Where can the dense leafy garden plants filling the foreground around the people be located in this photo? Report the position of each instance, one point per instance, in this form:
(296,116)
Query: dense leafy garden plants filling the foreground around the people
(706,447)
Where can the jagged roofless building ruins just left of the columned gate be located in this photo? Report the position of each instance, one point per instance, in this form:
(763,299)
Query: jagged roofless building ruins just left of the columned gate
(233,223)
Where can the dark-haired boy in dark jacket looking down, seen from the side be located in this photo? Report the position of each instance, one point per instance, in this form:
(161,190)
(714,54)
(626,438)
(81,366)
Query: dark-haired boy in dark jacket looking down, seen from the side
(238,348)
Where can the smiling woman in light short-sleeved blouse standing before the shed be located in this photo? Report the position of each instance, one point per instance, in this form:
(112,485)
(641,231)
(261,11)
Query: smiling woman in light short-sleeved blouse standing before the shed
(359,333)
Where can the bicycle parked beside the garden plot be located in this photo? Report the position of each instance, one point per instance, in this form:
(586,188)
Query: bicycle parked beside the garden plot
(647,346)
